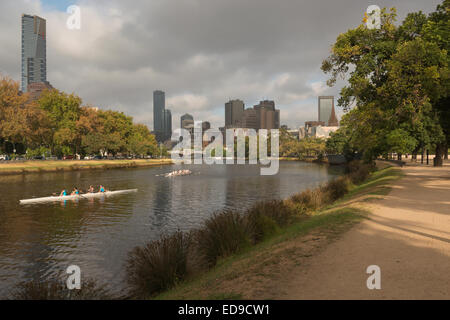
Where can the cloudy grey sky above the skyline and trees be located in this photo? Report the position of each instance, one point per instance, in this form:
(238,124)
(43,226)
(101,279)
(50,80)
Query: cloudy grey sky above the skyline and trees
(200,52)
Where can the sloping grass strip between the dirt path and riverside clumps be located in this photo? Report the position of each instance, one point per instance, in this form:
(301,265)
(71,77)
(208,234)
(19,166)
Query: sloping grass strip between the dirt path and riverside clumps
(263,271)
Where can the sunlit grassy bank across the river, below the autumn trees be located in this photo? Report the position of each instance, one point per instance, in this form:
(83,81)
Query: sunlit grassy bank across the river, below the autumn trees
(12,167)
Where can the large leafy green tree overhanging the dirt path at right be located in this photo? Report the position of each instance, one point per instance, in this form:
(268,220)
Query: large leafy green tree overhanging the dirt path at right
(397,80)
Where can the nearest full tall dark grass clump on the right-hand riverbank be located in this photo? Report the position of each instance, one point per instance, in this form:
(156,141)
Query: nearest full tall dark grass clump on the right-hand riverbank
(159,265)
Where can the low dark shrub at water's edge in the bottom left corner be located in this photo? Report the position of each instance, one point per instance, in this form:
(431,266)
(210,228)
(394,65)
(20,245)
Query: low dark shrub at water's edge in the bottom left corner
(53,290)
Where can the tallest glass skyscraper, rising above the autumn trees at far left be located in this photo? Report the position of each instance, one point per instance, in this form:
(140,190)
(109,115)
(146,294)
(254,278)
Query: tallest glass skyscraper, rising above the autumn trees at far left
(34,56)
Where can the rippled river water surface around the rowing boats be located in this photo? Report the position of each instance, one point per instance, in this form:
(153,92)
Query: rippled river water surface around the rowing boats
(40,241)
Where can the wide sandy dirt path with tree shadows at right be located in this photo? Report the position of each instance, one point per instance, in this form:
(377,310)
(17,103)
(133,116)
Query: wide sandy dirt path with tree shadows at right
(407,236)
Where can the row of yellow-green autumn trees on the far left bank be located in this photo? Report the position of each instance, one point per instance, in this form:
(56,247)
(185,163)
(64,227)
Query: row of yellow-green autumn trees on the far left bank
(58,121)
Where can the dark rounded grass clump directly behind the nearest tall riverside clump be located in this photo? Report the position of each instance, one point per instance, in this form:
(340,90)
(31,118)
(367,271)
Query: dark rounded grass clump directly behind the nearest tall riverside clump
(222,235)
